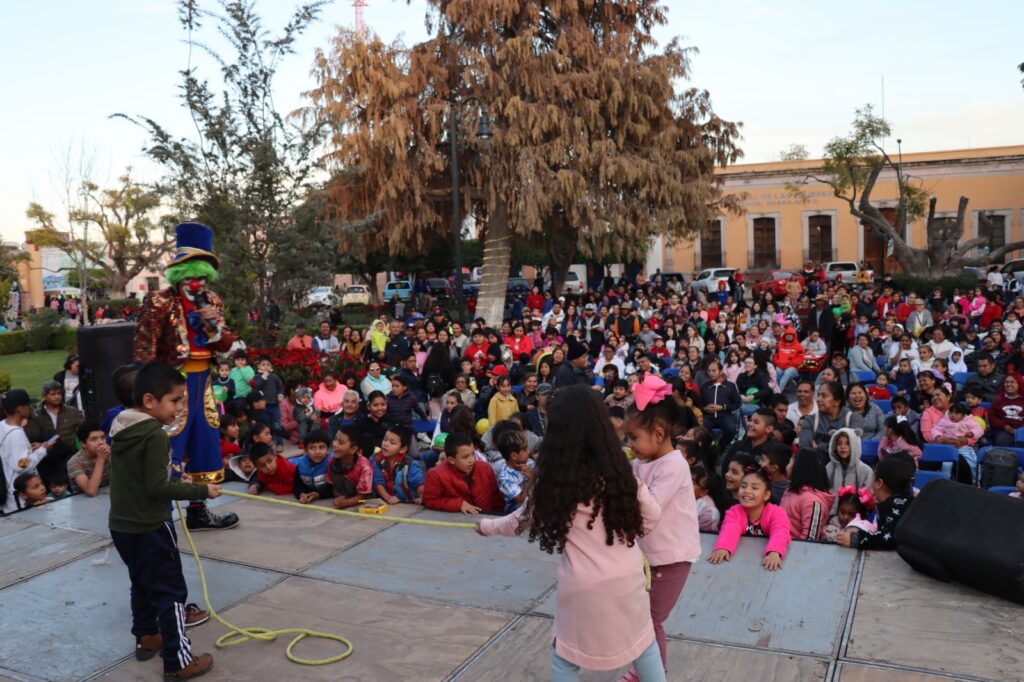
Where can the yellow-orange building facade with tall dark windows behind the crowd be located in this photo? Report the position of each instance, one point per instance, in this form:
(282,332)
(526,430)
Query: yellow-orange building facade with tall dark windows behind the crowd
(782,231)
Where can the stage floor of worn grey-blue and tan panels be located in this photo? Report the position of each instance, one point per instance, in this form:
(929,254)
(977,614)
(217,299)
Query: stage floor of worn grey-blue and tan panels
(433,604)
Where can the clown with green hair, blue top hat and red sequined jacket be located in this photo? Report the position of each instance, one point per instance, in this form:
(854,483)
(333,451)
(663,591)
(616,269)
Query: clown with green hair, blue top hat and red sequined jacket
(184,326)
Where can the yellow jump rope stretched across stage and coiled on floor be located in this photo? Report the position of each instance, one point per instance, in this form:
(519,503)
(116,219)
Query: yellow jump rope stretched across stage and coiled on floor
(239,635)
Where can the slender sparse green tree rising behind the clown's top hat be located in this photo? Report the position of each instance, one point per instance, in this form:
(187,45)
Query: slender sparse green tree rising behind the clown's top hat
(248,169)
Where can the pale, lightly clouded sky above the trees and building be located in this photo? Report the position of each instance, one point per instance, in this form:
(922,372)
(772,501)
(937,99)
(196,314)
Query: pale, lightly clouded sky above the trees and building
(791,72)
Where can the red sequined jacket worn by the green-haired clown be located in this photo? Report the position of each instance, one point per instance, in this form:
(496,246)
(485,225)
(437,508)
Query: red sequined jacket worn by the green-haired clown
(161,333)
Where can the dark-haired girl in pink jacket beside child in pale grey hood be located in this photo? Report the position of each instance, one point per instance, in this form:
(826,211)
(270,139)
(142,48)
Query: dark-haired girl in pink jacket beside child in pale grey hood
(808,501)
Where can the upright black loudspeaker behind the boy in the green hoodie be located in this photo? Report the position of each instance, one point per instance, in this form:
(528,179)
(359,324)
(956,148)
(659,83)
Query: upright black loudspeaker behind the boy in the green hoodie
(102,350)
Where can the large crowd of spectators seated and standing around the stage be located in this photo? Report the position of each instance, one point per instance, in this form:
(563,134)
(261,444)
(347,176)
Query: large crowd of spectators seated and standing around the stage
(816,390)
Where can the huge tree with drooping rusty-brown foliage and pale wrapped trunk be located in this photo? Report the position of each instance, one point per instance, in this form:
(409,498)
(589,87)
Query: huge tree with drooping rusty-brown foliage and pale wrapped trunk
(594,146)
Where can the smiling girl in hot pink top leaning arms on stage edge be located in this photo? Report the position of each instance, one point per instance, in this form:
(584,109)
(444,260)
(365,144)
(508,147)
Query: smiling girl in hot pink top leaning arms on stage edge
(757,518)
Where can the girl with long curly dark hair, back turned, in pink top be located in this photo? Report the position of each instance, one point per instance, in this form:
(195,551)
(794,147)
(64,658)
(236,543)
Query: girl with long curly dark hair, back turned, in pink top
(588,506)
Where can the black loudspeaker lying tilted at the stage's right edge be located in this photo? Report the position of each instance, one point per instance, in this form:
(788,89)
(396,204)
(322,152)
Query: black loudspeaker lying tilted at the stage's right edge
(959,533)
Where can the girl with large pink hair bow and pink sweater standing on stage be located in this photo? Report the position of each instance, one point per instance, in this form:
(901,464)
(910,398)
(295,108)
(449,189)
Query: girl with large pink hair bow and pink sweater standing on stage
(675,544)
